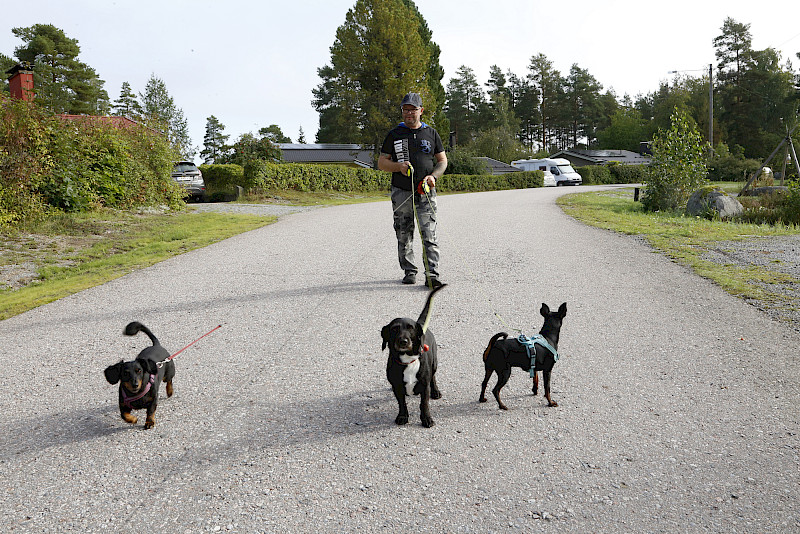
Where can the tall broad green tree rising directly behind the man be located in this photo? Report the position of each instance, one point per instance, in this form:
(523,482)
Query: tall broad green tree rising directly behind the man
(381,52)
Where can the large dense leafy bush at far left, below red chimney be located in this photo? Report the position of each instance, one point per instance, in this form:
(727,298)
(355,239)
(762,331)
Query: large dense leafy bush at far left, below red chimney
(50,163)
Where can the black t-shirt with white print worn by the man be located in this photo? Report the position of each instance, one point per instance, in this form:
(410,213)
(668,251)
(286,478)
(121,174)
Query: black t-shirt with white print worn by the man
(418,146)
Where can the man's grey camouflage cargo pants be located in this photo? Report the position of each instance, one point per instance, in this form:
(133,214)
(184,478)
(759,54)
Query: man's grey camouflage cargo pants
(404,228)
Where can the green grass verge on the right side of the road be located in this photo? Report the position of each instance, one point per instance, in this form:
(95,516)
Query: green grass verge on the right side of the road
(684,239)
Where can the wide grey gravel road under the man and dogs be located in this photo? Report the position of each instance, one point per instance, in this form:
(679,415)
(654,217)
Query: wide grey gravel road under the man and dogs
(679,405)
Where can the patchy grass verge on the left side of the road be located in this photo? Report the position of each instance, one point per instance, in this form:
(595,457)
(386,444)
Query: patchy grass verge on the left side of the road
(66,254)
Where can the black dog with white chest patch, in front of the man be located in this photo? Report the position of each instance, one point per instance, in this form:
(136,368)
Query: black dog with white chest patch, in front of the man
(411,368)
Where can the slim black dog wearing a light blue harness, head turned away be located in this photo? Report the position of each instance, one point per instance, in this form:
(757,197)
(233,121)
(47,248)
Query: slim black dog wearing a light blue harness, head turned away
(502,354)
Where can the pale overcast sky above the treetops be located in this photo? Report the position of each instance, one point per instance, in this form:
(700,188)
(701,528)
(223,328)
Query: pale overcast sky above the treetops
(252,64)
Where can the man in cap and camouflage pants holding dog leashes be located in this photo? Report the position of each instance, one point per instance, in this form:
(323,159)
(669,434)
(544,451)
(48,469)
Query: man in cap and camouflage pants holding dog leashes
(413,152)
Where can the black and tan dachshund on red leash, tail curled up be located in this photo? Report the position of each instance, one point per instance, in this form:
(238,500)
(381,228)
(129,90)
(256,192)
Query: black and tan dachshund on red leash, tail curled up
(139,379)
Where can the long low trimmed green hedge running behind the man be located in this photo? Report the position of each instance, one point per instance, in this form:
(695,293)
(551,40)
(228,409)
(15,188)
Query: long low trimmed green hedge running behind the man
(260,176)
